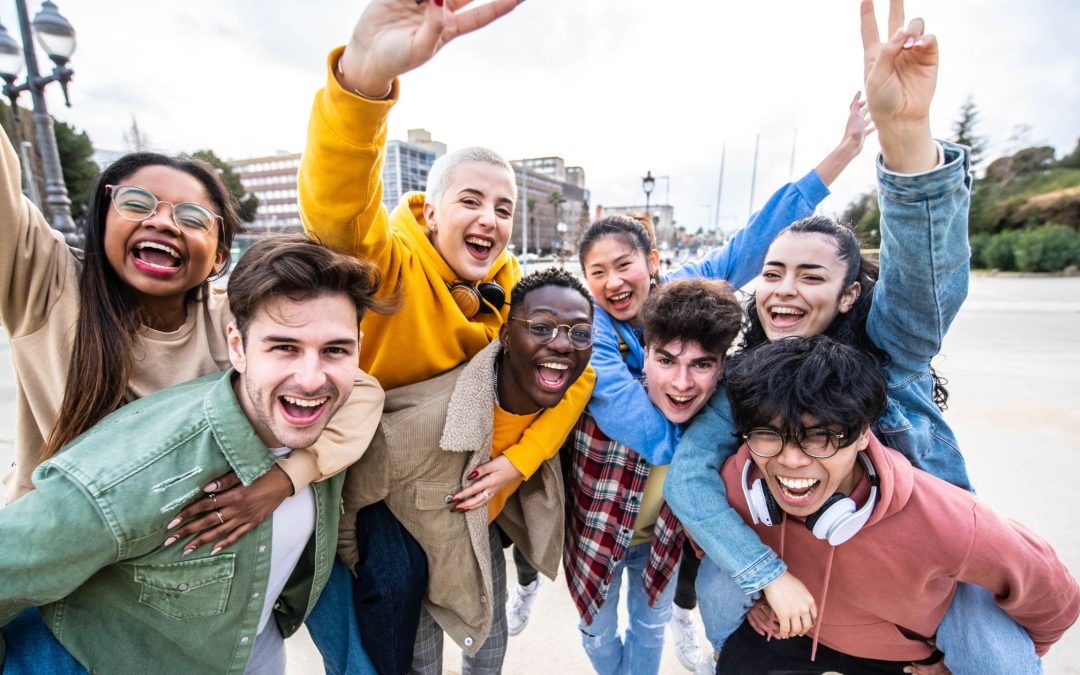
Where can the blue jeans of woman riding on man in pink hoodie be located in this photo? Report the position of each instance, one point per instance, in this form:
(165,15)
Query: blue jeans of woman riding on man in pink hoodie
(976,634)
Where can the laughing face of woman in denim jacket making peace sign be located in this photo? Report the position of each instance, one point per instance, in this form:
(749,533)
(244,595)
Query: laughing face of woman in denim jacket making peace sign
(802,290)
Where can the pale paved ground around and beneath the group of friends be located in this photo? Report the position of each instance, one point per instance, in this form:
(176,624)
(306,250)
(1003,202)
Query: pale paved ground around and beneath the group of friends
(1014,363)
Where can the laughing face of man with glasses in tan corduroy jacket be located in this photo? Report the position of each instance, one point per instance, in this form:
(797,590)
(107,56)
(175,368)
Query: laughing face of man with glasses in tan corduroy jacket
(535,376)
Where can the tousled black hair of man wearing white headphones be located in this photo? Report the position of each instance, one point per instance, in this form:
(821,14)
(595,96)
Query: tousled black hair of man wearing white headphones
(838,385)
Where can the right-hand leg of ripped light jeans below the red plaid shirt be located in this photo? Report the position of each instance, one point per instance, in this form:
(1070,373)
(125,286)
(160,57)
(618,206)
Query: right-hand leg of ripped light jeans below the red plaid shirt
(644,644)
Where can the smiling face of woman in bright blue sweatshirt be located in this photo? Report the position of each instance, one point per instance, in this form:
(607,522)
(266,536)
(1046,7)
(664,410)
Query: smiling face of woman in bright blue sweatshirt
(618,276)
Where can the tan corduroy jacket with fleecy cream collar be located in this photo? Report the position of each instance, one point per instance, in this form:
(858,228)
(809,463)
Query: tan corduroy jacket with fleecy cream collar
(431,437)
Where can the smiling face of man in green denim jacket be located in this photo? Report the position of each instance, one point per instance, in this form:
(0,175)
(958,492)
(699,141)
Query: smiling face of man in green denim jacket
(296,367)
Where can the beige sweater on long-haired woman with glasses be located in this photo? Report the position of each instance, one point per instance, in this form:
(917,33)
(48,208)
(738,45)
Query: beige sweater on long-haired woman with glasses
(39,307)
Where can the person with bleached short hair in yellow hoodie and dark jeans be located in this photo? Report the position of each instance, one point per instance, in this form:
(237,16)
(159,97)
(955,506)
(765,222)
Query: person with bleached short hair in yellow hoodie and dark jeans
(444,253)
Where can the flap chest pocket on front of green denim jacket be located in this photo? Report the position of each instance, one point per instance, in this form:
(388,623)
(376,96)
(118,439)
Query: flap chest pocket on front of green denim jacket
(187,589)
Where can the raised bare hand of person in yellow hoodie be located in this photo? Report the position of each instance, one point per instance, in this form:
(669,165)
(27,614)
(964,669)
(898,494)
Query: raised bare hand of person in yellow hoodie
(394,37)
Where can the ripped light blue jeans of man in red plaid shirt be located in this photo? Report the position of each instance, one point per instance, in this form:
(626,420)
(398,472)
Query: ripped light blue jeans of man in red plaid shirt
(639,654)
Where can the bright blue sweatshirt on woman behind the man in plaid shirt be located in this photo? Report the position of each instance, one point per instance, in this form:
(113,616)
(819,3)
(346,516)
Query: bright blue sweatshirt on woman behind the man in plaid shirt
(619,404)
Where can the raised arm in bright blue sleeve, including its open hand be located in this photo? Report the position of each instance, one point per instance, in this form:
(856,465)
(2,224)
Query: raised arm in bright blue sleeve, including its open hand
(741,260)
